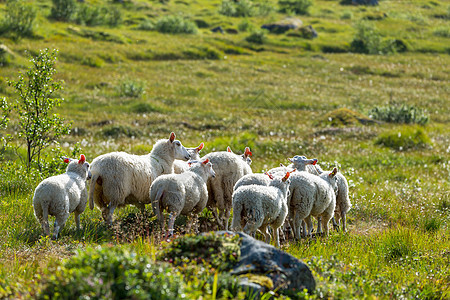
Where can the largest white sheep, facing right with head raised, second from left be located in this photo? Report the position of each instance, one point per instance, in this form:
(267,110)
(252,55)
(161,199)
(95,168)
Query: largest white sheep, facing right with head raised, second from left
(119,178)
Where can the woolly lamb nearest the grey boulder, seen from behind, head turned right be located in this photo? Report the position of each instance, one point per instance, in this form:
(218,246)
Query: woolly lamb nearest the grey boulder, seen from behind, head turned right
(261,206)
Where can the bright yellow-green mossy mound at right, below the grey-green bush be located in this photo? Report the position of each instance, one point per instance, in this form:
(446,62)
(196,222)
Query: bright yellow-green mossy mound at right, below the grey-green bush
(404,138)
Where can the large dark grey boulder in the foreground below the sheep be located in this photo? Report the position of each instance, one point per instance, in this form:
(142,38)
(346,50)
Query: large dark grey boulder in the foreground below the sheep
(285,271)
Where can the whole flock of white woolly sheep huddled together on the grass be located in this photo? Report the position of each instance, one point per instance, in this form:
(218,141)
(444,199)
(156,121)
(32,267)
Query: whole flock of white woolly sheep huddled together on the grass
(175,179)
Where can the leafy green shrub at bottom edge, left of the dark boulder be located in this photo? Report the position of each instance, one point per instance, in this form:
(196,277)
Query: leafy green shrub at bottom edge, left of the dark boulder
(111,273)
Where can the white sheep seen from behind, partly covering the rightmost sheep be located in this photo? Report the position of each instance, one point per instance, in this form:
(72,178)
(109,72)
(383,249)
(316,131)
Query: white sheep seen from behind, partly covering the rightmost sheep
(312,195)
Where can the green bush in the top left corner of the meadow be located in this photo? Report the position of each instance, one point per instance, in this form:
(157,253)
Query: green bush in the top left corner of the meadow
(19,18)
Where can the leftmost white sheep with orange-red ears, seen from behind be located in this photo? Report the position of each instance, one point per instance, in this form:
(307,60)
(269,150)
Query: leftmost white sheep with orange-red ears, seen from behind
(61,195)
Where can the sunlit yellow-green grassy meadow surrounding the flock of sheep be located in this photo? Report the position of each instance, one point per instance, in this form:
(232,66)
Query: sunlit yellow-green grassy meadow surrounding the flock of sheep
(127,85)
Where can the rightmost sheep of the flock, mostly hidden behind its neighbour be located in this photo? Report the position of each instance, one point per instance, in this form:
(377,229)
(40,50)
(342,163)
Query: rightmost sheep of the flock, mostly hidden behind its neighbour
(343,204)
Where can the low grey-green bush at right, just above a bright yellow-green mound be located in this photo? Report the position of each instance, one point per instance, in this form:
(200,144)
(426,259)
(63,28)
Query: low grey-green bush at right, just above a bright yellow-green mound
(400,113)
